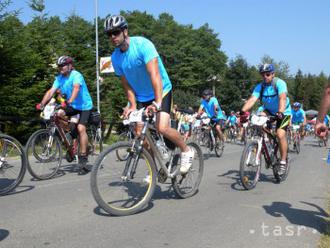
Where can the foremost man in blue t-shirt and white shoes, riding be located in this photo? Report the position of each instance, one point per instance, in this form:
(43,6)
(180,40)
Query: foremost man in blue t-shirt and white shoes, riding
(145,81)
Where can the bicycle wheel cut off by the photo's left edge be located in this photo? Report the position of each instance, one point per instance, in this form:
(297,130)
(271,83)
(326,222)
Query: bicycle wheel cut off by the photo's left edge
(12,163)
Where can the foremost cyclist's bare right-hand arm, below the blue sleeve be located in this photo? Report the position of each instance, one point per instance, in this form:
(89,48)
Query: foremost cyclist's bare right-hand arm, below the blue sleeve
(152,68)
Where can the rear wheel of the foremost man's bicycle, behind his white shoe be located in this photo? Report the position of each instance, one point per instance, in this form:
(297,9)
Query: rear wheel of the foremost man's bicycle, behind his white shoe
(180,182)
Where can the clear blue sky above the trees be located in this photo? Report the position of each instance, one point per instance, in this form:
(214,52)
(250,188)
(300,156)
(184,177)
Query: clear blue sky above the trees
(294,31)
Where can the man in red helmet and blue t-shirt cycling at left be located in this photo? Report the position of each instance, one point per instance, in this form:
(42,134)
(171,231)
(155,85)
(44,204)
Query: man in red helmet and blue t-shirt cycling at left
(72,84)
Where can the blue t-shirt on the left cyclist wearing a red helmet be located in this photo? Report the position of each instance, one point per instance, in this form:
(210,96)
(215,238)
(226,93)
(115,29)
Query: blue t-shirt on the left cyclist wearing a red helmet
(83,101)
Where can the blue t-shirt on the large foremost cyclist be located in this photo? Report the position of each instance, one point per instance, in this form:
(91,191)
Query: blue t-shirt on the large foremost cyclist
(132,65)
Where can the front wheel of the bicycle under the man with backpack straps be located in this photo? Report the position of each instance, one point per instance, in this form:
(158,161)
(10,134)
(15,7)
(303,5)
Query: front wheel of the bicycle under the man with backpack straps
(249,182)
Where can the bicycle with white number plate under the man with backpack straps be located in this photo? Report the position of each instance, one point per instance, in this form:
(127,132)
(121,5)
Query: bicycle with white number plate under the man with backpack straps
(264,142)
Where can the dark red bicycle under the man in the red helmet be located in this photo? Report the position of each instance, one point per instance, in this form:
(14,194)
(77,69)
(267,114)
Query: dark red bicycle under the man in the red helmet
(44,148)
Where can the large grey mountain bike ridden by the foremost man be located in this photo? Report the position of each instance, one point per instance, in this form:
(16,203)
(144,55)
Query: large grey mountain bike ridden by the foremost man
(125,187)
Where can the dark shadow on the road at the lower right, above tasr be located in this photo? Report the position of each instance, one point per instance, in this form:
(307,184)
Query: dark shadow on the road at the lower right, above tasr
(312,219)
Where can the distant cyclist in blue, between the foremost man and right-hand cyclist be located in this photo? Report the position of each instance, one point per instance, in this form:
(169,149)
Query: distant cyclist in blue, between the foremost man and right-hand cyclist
(211,107)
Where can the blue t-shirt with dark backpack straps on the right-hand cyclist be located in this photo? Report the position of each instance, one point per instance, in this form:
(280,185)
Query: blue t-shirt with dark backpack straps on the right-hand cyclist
(269,101)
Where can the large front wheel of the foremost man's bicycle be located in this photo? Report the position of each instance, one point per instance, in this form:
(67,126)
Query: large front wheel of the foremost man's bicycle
(114,190)
